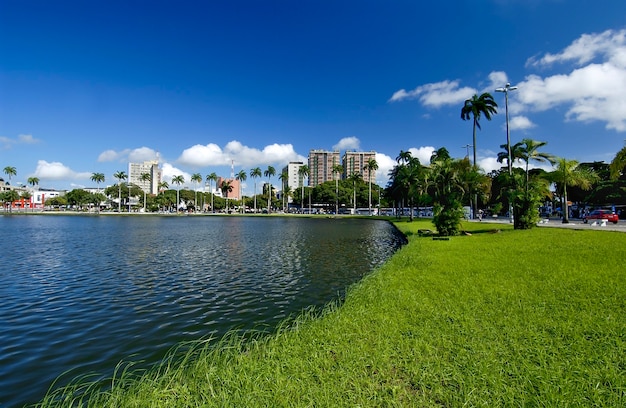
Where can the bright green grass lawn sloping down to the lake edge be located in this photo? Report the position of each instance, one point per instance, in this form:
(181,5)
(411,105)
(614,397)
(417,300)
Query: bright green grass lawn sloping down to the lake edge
(514,318)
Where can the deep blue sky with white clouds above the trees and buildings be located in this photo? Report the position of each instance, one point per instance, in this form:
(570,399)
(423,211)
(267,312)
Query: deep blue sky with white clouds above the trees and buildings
(89,86)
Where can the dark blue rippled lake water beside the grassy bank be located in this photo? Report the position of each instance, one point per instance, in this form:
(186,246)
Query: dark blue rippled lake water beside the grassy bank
(81,294)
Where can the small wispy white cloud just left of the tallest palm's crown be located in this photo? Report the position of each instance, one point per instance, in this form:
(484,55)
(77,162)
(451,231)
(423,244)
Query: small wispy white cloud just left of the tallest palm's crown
(436,94)
